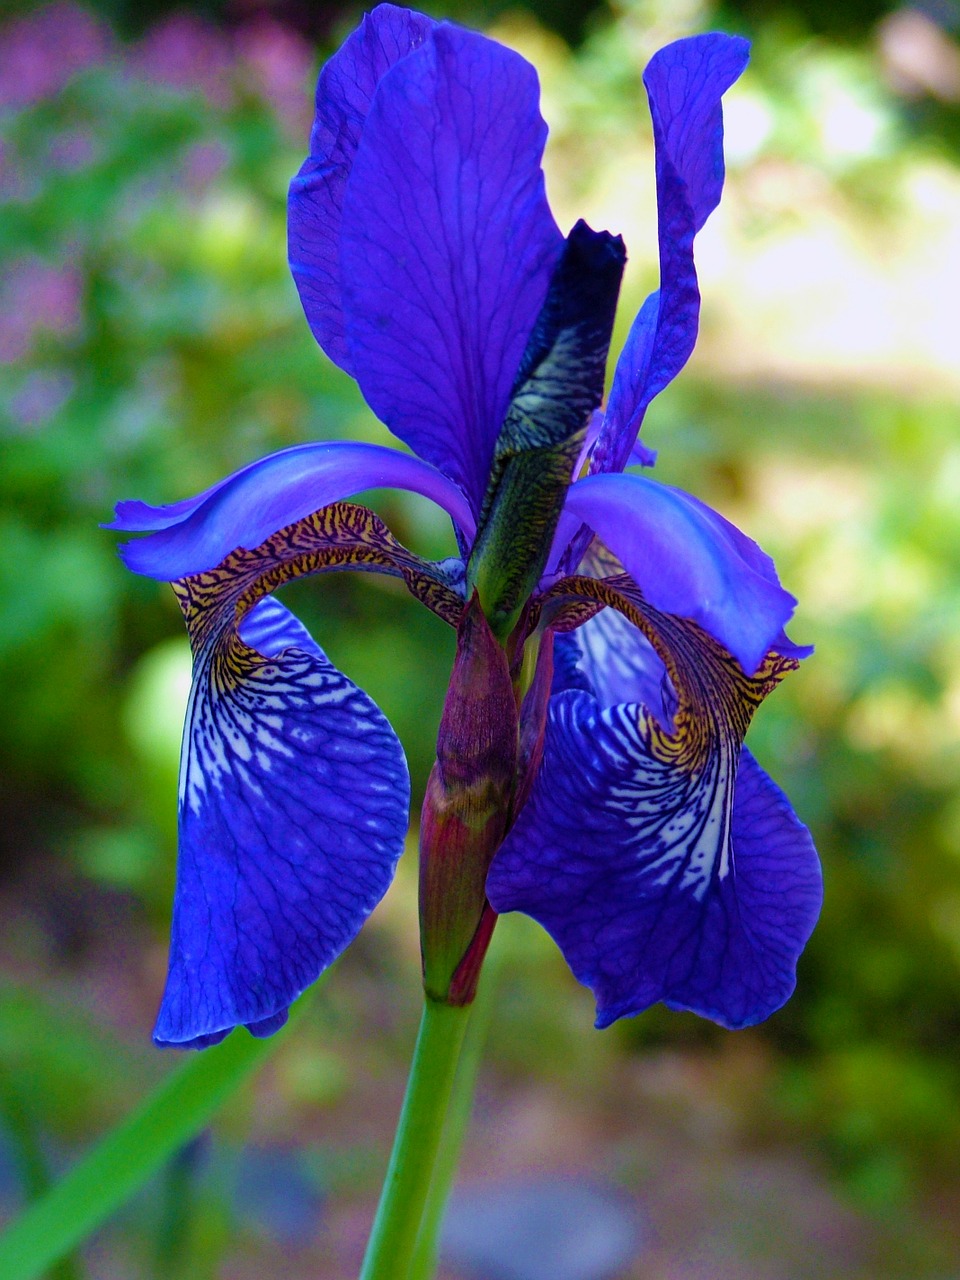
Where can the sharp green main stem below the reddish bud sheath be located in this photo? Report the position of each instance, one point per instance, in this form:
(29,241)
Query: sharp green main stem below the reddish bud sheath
(415,1149)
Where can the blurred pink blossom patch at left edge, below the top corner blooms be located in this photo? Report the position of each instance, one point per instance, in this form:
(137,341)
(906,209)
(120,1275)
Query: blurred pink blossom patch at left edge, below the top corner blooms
(34,296)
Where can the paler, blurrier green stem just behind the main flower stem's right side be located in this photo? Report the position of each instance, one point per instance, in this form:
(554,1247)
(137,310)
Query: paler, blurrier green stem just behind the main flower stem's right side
(456,1128)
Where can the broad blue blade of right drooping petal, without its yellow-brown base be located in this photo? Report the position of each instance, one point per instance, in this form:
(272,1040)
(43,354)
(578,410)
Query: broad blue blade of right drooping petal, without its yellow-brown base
(637,920)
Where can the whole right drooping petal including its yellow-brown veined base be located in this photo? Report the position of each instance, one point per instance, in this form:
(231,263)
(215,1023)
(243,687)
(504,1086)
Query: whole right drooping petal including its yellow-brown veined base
(660,857)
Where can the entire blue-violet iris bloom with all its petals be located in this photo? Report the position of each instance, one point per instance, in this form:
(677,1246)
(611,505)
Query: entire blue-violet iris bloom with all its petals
(643,835)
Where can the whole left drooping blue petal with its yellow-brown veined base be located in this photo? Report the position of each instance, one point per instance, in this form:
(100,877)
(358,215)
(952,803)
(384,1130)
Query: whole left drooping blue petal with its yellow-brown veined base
(294,788)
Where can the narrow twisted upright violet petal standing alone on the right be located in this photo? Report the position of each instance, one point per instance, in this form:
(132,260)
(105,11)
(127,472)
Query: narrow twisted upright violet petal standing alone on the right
(685,84)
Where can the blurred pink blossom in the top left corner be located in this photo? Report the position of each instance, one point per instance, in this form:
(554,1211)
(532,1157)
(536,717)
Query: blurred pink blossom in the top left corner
(42,52)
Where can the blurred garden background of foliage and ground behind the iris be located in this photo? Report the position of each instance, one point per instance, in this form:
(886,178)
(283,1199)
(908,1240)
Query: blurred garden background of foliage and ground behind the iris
(152,341)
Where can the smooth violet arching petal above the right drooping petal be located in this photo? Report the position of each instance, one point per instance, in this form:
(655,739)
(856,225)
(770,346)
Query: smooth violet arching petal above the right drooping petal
(688,561)
